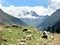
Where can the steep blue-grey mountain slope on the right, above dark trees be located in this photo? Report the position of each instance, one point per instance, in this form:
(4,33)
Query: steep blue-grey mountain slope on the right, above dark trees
(51,20)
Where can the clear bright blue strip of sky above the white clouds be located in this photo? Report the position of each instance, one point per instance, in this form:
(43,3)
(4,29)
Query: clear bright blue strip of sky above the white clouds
(25,2)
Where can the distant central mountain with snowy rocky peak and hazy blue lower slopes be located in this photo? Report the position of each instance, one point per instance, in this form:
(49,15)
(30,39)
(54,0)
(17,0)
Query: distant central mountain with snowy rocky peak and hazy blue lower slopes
(31,18)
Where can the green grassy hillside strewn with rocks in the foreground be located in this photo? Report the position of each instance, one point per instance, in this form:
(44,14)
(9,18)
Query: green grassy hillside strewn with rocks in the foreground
(16,36)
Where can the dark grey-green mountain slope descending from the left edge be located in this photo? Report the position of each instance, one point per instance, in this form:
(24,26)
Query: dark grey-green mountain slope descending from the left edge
(8,19)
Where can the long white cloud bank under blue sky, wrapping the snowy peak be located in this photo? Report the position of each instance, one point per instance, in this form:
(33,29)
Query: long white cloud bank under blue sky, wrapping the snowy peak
(14,11)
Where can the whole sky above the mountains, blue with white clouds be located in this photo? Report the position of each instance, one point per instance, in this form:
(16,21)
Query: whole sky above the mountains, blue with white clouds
(41,7)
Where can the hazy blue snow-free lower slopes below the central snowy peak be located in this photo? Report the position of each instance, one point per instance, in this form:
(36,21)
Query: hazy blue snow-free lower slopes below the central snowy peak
(34,21)
